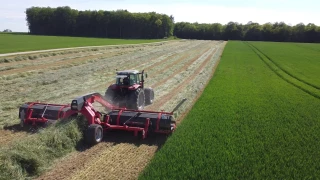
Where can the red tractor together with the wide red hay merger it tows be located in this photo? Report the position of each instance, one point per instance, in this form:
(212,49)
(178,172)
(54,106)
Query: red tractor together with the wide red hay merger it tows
(124,102)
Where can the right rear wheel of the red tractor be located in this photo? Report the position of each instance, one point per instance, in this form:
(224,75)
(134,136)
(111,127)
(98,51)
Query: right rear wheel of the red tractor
(136,100)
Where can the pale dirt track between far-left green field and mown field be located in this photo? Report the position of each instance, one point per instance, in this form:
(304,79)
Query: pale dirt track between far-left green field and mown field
(81,47)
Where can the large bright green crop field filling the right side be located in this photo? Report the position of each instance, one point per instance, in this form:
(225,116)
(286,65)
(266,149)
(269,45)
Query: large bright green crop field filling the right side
(258,118)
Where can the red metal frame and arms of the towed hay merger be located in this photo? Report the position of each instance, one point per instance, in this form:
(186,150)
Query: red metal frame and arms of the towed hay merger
(94,117)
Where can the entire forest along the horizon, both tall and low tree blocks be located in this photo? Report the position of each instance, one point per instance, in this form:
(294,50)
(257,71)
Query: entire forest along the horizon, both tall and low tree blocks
(64,21)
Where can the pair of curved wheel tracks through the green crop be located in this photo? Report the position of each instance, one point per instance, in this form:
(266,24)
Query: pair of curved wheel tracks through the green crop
(280,75)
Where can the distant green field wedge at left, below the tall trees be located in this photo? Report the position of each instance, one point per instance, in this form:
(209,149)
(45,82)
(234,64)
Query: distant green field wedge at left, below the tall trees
(10,42)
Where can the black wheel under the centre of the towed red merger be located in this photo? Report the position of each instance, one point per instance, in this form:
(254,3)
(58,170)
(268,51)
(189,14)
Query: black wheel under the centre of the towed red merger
(94,134)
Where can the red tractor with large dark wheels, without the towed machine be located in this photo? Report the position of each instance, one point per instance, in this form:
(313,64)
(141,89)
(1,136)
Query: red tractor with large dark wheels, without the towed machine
(128,91)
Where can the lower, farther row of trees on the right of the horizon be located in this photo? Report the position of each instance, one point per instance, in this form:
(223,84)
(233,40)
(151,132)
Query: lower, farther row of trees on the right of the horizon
(251,31)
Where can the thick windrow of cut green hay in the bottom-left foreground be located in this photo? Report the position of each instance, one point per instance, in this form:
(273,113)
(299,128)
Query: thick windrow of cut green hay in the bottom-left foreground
(30,156)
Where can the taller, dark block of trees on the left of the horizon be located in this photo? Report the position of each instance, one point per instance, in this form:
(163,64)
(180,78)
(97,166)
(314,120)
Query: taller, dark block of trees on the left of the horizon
(64,21)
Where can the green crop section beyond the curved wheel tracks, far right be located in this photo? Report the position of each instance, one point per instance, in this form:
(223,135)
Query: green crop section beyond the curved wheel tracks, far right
(301,61)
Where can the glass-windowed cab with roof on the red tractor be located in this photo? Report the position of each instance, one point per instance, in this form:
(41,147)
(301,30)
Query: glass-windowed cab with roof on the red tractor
(129,78)
